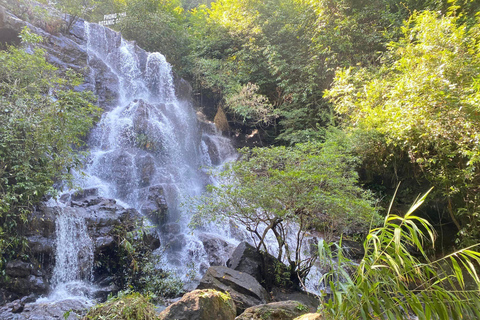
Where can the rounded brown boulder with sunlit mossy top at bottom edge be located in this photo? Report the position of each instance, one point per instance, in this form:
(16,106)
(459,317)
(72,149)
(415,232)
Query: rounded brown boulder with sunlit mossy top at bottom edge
(201,305)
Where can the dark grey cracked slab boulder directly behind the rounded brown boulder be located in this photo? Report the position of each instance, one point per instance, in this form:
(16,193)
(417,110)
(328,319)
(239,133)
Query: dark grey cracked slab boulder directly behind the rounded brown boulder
(242,287)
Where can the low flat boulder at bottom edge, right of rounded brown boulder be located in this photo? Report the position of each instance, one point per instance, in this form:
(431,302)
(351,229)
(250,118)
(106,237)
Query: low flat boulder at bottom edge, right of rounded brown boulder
(284,310)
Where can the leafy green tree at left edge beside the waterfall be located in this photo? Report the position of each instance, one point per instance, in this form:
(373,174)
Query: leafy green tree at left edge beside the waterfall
(42,123)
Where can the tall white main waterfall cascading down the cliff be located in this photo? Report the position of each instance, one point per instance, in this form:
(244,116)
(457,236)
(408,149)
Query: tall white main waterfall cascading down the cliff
(149,148)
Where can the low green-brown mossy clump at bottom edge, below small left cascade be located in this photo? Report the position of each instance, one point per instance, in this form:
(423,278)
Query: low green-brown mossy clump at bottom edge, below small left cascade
(126,306)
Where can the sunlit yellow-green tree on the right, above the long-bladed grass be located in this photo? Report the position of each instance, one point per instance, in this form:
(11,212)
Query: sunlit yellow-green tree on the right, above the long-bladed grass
(423,107)
